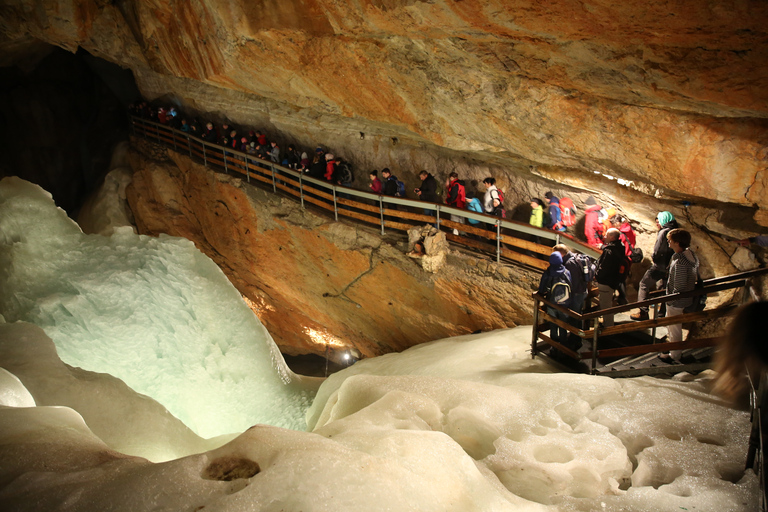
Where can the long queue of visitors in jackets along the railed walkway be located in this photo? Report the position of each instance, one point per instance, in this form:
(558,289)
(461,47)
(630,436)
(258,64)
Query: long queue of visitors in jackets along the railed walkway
(569,276)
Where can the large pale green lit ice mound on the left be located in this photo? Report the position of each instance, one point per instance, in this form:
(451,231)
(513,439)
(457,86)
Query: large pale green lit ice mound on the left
(154,312)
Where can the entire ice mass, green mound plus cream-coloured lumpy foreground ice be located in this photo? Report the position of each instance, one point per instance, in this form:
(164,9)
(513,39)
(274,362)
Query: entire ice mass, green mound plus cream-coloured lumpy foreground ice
(463,424)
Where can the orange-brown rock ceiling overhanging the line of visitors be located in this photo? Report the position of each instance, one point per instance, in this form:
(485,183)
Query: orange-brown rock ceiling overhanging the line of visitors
(671,97)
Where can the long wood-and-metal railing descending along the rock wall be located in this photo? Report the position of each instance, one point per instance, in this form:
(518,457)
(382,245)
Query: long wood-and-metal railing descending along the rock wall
(513,240)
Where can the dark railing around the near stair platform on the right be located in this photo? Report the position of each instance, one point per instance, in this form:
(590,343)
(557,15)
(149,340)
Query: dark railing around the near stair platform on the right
(592,331)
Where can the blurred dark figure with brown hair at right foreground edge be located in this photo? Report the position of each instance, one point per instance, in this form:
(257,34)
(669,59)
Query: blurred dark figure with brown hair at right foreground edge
(742,365)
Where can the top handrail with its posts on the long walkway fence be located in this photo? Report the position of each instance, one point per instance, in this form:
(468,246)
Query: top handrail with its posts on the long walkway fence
(252,164)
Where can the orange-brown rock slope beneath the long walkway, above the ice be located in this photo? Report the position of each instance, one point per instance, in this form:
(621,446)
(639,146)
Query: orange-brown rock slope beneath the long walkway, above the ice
(314,281)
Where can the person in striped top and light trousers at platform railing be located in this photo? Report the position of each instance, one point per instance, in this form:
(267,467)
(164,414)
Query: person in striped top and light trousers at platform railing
(683,271)
